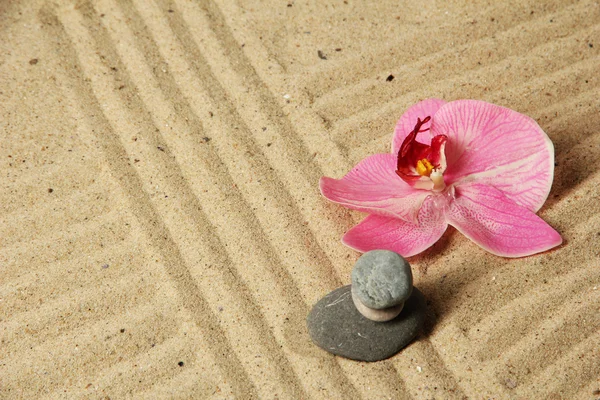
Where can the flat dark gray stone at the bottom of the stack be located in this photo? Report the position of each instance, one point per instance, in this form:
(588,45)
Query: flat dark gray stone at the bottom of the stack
(336,326)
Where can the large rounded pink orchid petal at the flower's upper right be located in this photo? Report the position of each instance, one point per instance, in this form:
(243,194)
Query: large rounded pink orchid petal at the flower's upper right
(496,146)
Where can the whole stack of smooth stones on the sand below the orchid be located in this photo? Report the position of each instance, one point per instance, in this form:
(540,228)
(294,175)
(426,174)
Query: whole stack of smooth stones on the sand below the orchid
(376,316)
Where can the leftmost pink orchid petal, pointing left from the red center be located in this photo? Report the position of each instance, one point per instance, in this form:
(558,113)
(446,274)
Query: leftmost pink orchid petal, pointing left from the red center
(373,186)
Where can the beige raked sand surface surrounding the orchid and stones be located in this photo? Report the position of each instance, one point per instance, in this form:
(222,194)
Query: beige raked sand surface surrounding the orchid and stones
(162,234)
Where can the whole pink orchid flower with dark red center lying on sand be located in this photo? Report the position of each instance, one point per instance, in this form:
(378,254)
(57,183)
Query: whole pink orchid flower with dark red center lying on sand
(486,171)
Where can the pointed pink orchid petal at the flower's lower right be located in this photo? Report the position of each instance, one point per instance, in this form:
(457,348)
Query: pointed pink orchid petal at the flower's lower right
(493,221)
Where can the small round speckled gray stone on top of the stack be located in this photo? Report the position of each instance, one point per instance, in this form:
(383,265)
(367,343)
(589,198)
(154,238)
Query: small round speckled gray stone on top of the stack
(382,279)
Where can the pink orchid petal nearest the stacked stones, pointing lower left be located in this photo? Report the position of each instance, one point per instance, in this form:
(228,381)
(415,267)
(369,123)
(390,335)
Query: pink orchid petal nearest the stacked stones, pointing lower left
(405,238)
